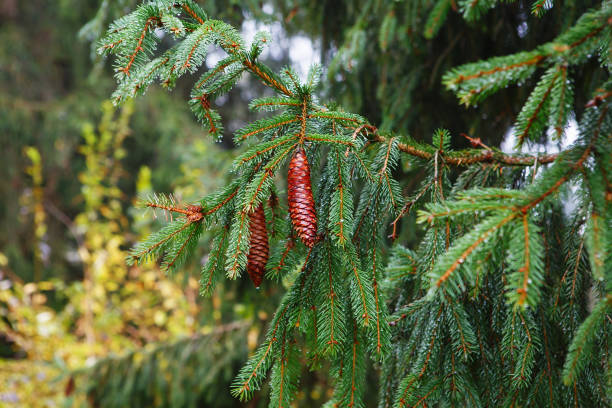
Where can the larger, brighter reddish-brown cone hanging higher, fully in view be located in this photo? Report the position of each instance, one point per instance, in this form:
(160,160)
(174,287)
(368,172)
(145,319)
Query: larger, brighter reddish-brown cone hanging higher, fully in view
(301,201)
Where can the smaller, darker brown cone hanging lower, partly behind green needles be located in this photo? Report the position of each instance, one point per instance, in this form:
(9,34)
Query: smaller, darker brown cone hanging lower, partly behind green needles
(258,251)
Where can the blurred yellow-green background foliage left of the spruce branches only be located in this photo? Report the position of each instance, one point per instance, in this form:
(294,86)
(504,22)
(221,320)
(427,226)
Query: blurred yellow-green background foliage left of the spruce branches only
(72,168)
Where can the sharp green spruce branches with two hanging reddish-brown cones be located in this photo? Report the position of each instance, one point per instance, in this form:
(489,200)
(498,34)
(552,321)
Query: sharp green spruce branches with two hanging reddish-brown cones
(506,298)
